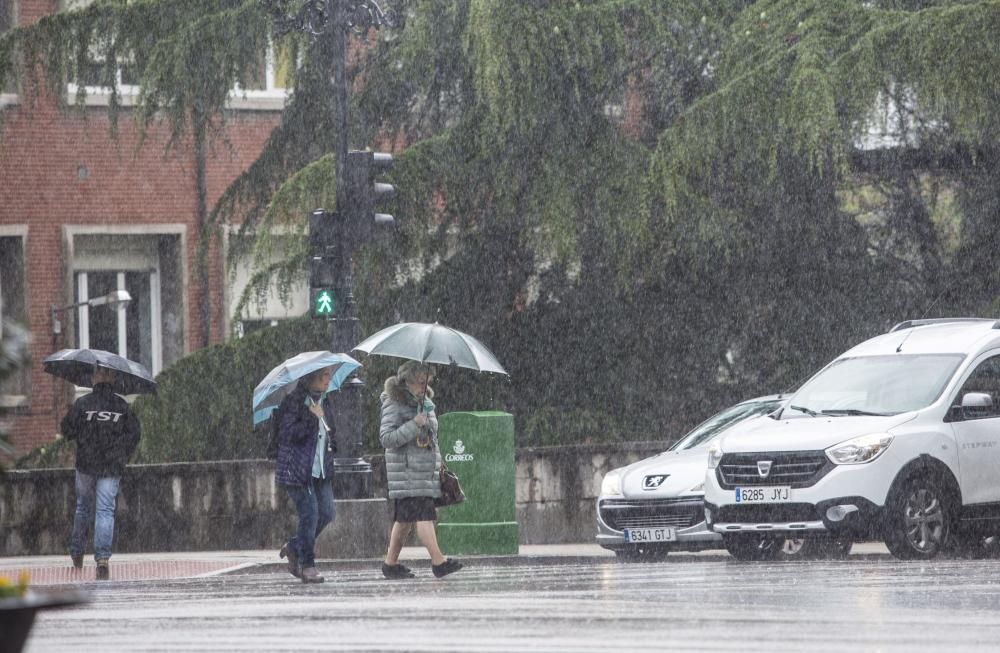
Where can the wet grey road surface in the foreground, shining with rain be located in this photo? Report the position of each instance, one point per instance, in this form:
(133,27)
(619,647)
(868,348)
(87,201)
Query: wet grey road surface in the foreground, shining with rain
(866,603)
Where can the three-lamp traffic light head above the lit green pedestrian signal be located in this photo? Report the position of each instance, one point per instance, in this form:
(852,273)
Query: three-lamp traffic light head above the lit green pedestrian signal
(363,194)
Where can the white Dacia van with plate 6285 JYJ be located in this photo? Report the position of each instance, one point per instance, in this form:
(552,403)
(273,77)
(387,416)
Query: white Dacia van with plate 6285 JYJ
(897,439)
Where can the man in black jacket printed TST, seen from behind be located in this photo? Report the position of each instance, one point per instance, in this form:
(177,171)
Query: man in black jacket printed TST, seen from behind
(106,432)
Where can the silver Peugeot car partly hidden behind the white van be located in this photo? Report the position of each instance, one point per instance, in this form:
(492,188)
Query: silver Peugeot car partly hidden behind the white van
(656,505)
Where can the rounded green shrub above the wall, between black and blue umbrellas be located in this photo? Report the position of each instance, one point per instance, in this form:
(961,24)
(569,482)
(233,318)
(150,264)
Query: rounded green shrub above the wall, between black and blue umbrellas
(203,406)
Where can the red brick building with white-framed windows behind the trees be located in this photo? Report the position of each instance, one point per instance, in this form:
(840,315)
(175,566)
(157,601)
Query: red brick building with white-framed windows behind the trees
(82,214)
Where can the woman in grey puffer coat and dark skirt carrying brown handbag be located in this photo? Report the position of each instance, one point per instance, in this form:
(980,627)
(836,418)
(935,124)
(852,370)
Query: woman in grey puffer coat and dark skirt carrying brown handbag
(408,432)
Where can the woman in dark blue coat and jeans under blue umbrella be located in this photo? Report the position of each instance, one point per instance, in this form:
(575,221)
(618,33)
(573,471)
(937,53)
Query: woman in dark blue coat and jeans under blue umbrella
(304,467)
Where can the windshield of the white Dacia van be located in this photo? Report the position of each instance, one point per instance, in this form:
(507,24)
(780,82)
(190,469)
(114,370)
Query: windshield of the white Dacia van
(875,385)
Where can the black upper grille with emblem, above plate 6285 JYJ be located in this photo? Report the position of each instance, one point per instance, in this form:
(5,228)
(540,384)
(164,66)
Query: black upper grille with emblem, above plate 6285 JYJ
(794,468)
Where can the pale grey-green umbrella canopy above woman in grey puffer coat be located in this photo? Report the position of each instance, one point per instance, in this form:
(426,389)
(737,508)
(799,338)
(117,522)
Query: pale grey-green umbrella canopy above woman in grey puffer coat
(432,343)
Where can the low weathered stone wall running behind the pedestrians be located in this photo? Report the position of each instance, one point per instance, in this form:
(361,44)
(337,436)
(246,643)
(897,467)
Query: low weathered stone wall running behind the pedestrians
(236,505)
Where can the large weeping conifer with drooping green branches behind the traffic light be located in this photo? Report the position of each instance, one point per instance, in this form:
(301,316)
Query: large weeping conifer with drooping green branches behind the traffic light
(732,242)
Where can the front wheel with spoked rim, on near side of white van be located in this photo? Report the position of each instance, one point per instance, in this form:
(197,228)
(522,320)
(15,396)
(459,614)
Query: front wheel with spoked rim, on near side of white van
(919,520)
